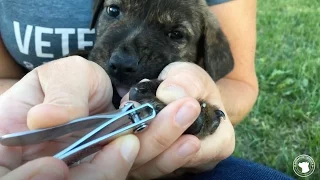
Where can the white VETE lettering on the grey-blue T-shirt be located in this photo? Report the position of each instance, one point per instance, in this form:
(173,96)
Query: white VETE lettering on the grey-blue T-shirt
(43,38)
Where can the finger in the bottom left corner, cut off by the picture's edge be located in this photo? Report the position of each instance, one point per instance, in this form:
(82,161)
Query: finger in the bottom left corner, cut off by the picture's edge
(44,168)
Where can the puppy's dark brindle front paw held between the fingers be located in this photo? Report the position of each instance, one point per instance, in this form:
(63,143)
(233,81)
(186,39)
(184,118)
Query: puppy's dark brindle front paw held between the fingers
(206,123)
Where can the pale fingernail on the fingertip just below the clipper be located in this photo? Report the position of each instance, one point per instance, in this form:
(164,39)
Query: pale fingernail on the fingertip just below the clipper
(128,150)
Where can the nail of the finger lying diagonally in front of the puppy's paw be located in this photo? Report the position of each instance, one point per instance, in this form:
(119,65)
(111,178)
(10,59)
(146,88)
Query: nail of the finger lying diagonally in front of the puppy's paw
(186,114)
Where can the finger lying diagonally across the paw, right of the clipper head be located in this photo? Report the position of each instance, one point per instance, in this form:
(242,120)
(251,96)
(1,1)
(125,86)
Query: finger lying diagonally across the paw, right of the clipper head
(166,128)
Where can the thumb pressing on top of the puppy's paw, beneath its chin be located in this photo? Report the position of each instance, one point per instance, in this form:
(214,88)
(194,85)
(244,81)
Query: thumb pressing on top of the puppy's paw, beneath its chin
(183,79)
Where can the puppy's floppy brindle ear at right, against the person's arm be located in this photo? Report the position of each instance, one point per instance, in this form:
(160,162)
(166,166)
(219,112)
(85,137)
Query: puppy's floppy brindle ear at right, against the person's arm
(217,56)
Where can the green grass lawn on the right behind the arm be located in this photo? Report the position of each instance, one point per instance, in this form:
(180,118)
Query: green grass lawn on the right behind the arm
(285,121)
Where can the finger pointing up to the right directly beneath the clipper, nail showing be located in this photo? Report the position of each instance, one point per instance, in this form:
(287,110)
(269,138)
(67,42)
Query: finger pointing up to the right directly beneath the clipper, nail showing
(113,162)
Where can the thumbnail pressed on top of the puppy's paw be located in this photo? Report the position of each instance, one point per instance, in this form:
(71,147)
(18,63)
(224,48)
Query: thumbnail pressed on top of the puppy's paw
(172,93)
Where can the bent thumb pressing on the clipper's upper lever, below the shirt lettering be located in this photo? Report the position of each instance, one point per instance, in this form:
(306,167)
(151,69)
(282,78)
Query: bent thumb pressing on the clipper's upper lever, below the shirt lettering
(73,87)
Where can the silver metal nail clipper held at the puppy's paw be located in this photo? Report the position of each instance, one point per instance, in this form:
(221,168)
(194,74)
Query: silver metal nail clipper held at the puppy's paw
(106,127)
